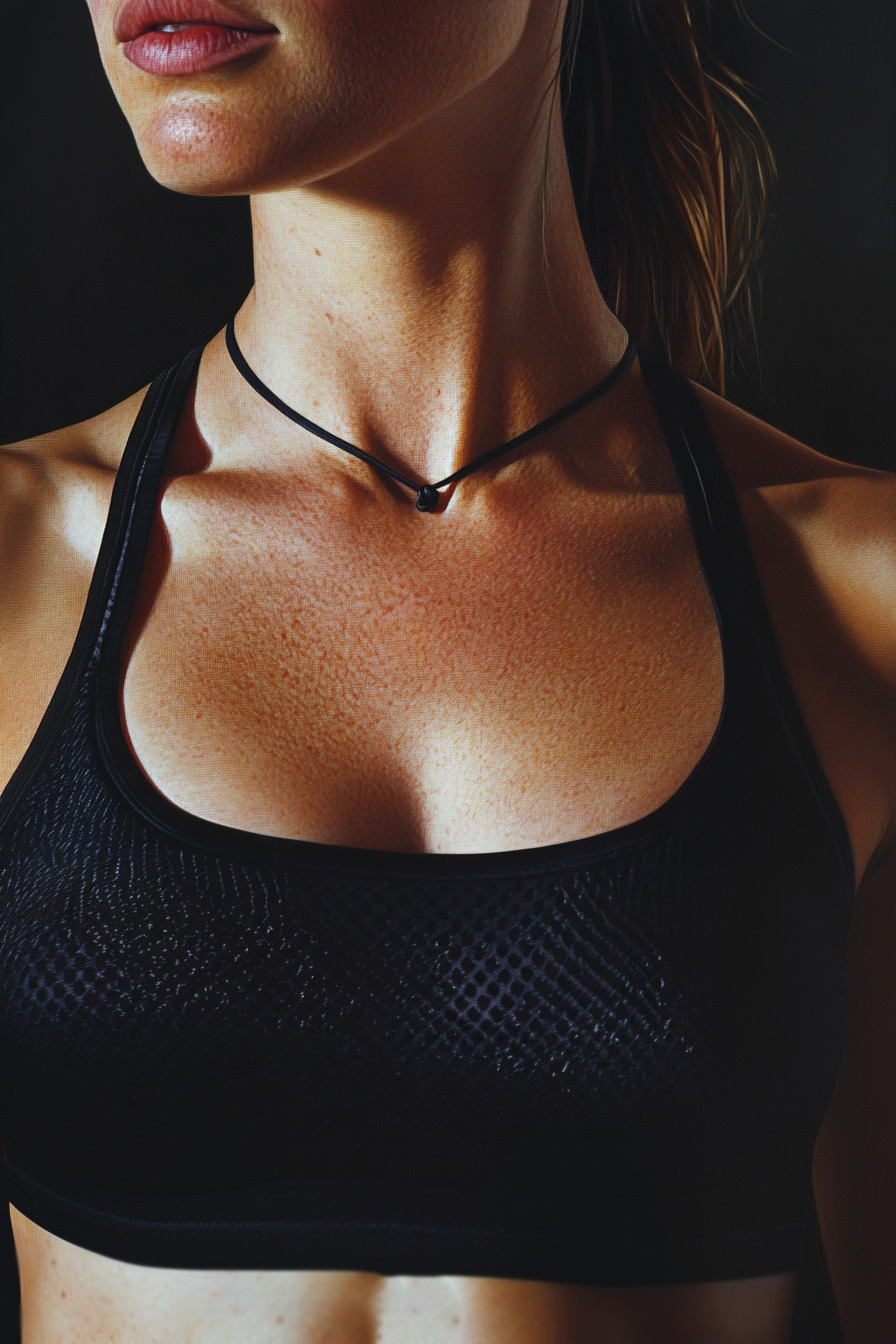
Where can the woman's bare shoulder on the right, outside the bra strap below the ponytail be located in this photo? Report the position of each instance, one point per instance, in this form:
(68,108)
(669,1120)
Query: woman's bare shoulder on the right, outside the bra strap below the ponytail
(824,536)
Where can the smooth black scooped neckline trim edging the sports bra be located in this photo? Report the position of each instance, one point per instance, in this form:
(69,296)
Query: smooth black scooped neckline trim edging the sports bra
(193,829)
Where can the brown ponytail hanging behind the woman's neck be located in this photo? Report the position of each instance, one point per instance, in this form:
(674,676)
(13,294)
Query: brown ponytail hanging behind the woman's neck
(671,175)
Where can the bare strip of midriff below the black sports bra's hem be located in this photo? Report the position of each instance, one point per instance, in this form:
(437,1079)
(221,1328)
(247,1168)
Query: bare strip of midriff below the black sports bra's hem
(73,1296)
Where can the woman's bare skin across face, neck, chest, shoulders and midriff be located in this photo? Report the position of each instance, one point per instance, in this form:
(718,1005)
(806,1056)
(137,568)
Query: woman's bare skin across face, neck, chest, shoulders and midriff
(421,294)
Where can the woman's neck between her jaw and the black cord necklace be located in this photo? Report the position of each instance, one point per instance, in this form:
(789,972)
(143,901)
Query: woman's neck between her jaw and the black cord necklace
(429,307)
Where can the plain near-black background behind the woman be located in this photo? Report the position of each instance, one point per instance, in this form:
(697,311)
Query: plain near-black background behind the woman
(107,279)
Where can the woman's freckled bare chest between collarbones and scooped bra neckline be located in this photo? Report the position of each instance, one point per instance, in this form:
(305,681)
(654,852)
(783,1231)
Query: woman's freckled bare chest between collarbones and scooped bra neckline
(512,697)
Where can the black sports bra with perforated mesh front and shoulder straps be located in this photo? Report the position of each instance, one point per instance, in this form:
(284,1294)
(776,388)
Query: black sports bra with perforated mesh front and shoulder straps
(594,1062)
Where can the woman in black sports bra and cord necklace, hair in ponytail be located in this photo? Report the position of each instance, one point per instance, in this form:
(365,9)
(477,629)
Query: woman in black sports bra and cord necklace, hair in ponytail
(431,923)
